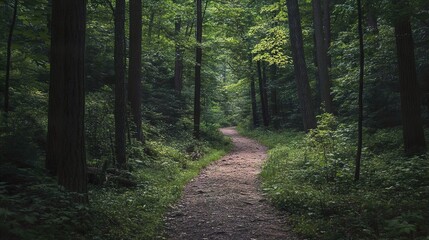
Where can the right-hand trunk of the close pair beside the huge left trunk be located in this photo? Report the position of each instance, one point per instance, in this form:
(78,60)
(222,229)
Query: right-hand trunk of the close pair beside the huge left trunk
(134,79)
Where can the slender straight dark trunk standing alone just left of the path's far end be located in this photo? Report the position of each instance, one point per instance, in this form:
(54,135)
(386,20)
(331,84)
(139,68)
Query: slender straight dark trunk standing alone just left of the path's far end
(198,58)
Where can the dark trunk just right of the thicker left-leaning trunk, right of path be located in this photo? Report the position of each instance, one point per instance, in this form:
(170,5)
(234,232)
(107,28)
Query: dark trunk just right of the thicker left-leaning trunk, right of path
(322,57)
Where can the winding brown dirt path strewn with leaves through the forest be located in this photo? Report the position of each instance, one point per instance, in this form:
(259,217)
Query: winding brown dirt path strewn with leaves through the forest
(225,202)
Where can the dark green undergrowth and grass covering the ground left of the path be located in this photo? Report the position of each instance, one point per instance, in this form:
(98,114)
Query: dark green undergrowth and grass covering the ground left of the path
(33,207)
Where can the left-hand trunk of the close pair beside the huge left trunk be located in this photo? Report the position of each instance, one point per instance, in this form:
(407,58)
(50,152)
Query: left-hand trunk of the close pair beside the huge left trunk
(120,106)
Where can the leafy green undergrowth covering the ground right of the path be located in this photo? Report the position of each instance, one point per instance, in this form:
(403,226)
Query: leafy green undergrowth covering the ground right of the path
(311,177)
